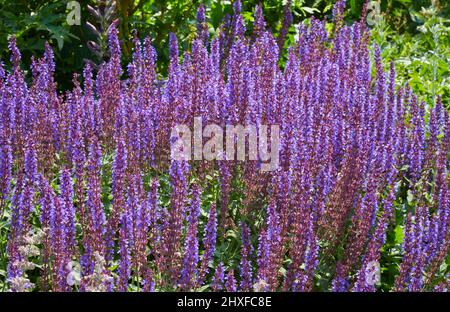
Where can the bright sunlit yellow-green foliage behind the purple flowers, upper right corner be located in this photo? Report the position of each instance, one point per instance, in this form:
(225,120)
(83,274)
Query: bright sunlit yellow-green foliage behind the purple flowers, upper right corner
(422,57)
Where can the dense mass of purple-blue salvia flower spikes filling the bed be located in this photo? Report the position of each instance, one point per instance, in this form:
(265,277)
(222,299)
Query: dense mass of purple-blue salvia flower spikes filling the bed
(86,177)
